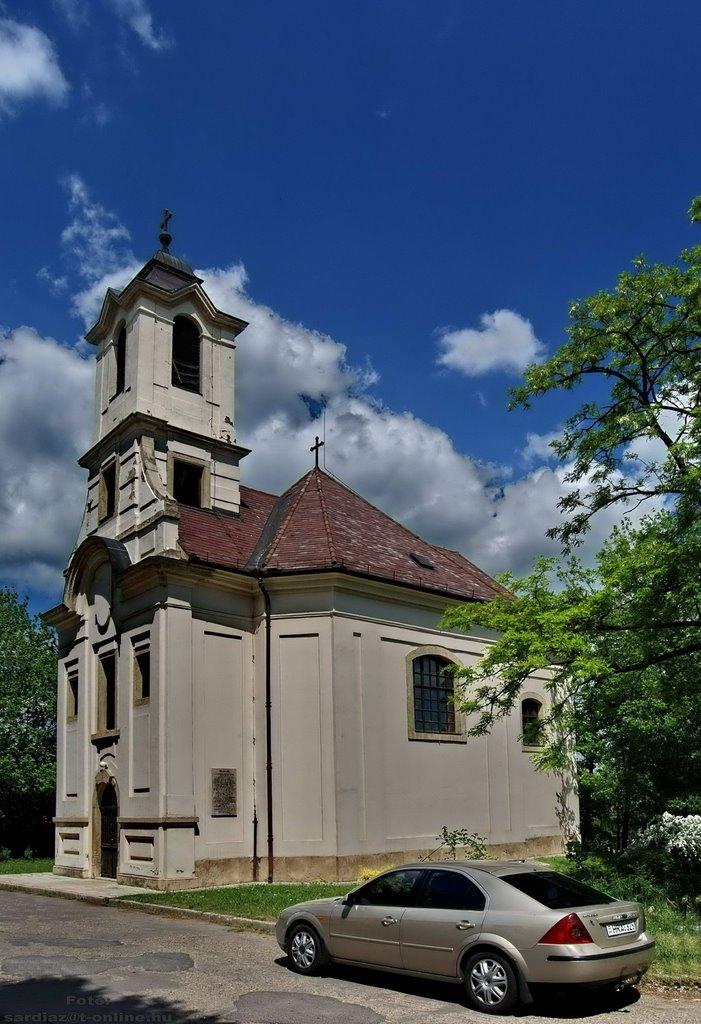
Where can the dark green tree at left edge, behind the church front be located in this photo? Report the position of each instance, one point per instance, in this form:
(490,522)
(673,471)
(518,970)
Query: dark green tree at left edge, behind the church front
(28,726)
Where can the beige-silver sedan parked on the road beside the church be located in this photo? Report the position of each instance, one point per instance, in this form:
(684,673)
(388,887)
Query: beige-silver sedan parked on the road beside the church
(498,927)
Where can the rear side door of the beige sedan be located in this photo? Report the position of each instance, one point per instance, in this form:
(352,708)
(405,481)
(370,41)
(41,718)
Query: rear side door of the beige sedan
(449,916)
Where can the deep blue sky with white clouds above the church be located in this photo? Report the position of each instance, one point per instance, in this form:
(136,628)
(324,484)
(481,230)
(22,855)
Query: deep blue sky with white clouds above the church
(403,197)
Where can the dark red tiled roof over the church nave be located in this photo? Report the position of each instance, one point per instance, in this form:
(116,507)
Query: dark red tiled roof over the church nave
(321,525)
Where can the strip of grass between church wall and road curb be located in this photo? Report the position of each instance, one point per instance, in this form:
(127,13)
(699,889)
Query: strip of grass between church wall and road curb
(260,902)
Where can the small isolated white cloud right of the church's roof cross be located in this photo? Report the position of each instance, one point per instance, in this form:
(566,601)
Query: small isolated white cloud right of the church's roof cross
(504,342)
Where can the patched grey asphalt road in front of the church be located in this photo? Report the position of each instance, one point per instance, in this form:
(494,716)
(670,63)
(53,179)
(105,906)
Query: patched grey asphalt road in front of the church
(62,961)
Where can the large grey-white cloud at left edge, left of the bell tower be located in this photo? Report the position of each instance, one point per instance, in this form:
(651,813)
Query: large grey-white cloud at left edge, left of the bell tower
(46,399)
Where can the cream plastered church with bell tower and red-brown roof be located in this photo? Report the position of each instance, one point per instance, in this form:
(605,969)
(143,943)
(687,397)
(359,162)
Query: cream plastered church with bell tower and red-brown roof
(254,687)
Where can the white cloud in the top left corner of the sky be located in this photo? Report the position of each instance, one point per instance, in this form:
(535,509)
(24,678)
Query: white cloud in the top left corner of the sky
(29,67)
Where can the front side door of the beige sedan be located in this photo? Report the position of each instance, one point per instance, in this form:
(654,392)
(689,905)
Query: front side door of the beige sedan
(367,930)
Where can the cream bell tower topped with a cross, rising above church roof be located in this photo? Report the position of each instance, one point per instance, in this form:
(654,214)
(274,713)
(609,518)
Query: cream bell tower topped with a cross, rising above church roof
(164,420)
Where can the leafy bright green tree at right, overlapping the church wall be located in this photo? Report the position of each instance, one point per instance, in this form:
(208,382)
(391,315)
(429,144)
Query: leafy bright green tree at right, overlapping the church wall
(620,644)
